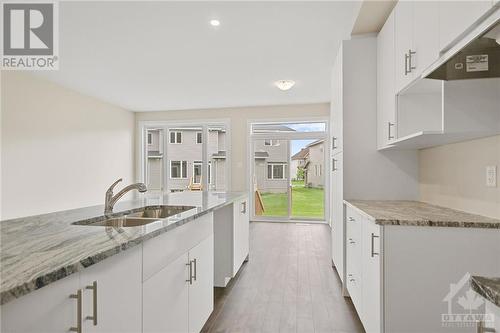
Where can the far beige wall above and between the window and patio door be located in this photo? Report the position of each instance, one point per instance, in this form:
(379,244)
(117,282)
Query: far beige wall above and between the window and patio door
(239,133)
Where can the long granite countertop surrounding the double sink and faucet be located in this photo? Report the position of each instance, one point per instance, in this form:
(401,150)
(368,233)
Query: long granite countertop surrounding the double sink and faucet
(38,250)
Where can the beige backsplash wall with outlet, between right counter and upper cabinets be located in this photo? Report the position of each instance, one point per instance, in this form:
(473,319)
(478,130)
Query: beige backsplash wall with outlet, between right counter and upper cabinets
(454,176)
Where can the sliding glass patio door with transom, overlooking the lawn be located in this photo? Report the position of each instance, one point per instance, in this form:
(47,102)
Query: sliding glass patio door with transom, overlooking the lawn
(288,173)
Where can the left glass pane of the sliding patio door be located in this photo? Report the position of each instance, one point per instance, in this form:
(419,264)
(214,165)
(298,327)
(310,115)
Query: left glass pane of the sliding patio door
(270,179)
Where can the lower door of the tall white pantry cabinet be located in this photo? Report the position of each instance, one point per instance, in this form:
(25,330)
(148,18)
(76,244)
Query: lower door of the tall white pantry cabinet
(337,213)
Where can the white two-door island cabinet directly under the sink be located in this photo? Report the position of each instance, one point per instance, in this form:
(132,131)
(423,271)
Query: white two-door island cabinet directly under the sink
(179,296)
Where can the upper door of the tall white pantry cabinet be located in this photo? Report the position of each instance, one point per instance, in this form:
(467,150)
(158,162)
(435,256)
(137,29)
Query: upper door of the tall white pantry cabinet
(336,105)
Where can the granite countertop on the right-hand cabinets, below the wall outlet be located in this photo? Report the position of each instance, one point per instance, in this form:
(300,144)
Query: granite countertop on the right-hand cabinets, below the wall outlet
(415,213)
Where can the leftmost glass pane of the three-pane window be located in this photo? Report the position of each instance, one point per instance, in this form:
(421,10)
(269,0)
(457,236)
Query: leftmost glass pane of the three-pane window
(154,159)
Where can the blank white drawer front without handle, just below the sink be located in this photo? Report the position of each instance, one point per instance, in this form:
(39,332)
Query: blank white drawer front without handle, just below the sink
(164,249)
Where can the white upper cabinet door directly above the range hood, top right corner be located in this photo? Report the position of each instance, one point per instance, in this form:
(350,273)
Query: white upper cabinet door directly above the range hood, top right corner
(456,16)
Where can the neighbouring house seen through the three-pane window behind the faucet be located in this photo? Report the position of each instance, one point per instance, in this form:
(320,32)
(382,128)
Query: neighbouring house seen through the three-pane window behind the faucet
(180,165)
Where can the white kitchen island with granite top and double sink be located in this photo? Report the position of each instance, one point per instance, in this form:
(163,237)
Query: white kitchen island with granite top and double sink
(48,258)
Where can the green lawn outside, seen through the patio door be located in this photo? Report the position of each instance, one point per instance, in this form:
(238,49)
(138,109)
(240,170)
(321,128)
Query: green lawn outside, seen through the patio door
(306,202)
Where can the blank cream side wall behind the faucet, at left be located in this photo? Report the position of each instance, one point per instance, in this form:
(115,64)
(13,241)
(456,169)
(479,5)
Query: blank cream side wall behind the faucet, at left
(59,149)
